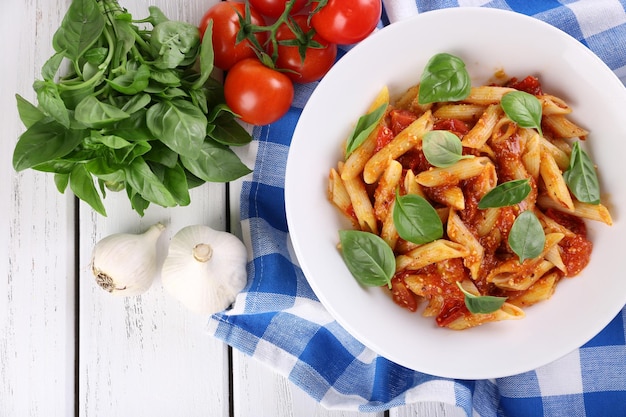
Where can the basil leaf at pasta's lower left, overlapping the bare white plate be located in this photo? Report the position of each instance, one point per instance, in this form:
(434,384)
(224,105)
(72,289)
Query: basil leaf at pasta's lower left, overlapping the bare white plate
(368,257)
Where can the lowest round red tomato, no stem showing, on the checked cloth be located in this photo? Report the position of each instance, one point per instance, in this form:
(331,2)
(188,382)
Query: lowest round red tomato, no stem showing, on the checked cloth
(258,94)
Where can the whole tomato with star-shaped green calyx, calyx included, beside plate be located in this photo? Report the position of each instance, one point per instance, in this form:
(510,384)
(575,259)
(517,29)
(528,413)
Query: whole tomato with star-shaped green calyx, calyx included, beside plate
(305,55)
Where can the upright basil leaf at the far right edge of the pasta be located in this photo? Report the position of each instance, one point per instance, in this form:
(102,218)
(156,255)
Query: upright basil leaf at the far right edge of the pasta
(581,177)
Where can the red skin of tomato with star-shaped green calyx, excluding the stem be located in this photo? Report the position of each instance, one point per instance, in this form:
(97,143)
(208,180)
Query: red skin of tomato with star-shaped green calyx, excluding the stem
(317,61)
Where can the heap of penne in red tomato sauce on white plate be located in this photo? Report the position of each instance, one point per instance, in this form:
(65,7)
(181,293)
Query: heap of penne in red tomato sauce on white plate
(477,248)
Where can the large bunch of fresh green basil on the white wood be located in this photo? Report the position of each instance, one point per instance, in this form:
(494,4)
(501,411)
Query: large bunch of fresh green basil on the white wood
(135,110)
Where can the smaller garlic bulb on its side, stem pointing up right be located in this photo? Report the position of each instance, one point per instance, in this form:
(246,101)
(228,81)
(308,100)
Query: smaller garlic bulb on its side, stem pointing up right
(125,264)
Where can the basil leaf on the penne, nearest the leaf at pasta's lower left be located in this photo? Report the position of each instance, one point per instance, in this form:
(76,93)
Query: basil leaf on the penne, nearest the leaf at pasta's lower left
(415,219)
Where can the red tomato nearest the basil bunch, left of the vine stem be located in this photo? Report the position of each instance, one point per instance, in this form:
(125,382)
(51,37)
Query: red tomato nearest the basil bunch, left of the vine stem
(225,28)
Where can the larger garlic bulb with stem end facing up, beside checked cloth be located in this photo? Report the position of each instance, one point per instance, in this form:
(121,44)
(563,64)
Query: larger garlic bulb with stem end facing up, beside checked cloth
(205,269)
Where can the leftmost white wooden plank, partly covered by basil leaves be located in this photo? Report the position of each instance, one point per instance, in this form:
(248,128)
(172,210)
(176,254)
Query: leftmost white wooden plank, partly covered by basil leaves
(36,234)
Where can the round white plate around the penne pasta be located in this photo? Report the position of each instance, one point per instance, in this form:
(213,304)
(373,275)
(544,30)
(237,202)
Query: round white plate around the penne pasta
(487,40)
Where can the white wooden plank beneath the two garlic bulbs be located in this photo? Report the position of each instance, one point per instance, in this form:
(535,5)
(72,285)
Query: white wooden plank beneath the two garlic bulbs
(148,355)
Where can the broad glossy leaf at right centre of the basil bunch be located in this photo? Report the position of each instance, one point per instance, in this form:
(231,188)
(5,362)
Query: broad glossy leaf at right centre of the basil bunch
(179,124)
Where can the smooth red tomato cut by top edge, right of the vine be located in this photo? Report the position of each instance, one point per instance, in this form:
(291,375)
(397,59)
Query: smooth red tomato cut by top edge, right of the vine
(347,21)
